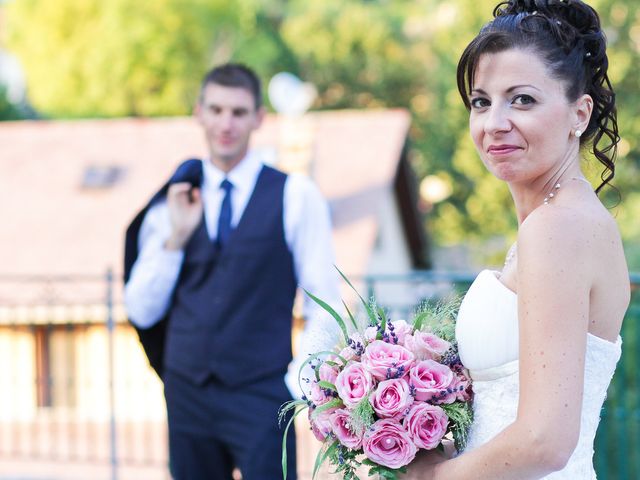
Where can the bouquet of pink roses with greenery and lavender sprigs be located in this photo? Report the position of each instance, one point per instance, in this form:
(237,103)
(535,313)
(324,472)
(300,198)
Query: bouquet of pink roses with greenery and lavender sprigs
(389,389)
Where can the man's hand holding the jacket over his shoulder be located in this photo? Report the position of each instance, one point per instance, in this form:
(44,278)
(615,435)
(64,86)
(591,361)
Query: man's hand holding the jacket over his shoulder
(185,212)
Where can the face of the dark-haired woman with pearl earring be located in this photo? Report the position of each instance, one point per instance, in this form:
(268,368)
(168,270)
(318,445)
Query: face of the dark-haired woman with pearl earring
(521,121)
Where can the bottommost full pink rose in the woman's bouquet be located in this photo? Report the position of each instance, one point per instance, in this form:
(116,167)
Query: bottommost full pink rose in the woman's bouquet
(387,442)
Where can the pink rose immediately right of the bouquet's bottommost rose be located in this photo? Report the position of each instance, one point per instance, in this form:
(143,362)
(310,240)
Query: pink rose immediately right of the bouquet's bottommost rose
(426,425)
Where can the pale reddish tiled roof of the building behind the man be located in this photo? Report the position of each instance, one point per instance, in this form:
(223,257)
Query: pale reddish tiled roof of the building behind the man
(52,225)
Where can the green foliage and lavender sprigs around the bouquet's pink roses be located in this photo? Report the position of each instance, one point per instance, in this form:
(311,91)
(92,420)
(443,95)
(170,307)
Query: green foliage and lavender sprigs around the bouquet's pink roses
(438,320)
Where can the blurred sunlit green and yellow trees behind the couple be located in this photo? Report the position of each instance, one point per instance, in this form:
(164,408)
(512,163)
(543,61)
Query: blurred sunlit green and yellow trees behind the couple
(89,58)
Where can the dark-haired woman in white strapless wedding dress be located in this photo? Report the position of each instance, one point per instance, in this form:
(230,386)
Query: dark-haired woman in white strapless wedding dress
(541,337)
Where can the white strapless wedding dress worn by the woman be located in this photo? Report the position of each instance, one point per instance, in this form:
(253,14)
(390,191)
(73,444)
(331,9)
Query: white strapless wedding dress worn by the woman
(487,334)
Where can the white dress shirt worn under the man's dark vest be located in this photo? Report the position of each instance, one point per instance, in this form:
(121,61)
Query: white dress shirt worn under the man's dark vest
(307,228)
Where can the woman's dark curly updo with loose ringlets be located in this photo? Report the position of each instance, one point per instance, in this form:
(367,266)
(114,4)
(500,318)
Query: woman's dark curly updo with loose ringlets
(567,36)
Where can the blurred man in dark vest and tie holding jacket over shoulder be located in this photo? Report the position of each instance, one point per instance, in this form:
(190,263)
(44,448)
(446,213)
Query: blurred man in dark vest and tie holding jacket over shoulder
(212,267)
